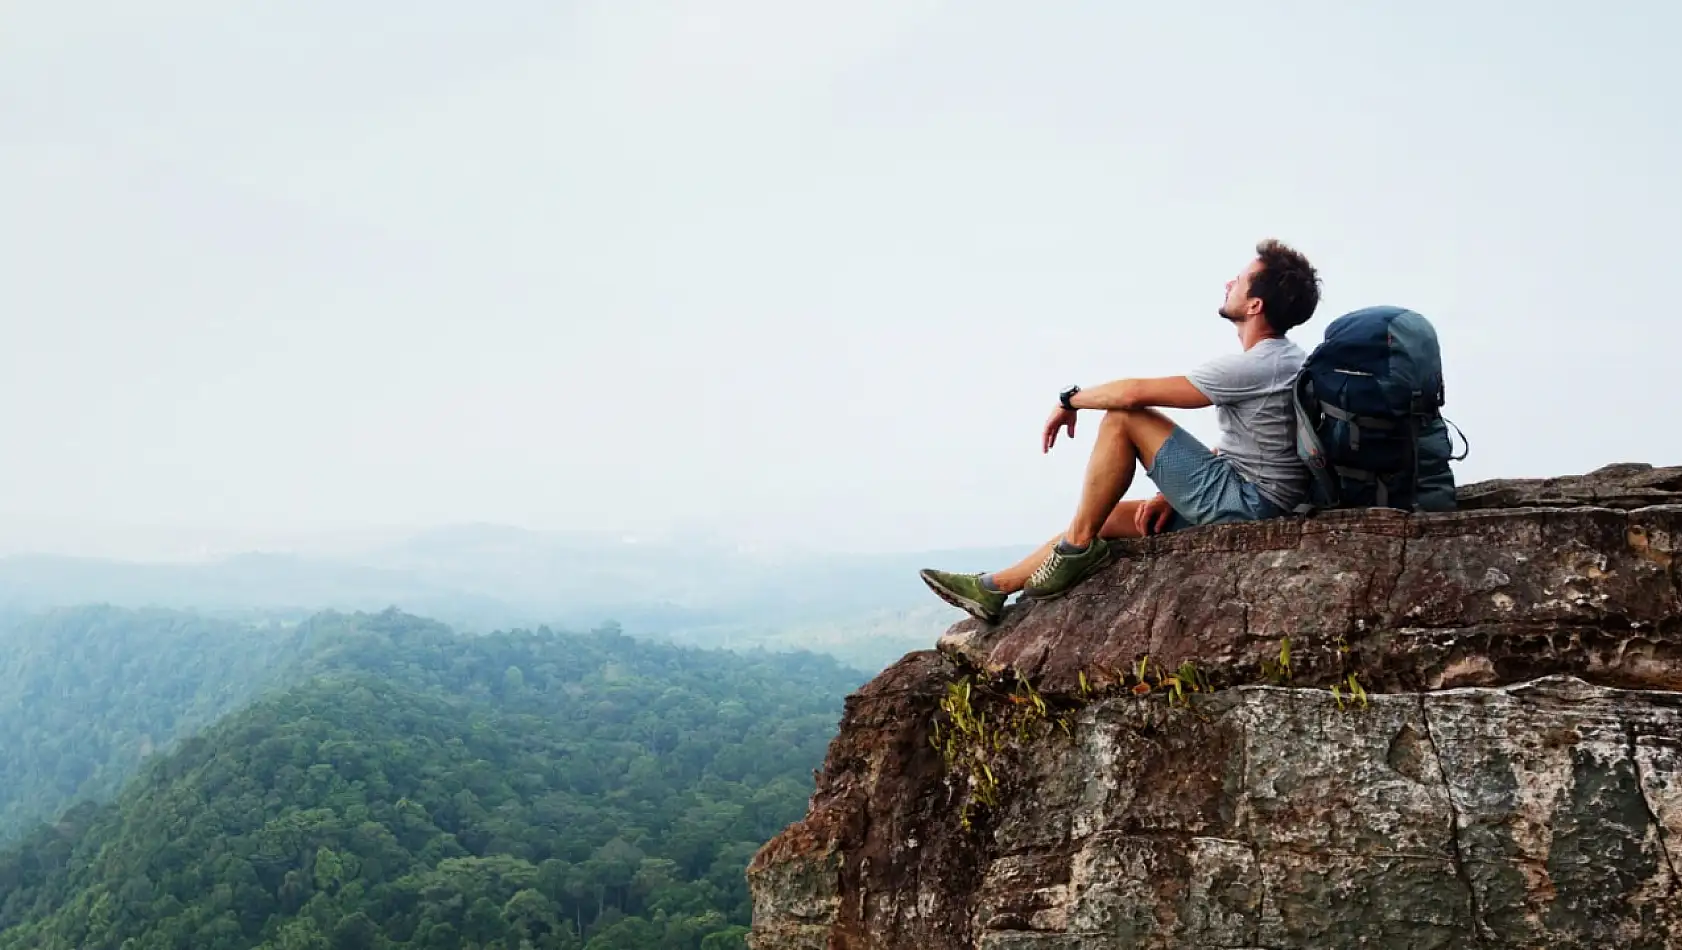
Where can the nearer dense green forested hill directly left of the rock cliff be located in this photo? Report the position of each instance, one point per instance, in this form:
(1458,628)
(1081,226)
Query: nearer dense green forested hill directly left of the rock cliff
(399,786)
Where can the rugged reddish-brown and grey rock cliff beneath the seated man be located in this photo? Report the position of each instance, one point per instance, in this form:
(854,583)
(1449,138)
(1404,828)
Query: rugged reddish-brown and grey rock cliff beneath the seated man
(1148,764)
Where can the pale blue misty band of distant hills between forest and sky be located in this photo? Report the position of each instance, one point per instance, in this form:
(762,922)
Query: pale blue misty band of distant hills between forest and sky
(480,578)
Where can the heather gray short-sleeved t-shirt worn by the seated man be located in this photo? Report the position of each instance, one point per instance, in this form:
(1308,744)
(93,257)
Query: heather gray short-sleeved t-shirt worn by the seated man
(1259,426)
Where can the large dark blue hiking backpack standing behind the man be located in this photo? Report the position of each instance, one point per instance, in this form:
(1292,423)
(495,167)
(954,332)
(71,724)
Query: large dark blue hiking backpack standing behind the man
(1370,414)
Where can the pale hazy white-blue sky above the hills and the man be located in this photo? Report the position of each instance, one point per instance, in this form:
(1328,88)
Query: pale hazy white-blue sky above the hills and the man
(796,273)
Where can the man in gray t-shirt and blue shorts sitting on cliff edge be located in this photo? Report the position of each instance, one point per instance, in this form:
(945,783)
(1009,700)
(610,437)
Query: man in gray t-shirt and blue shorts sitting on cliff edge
(1254,475)
